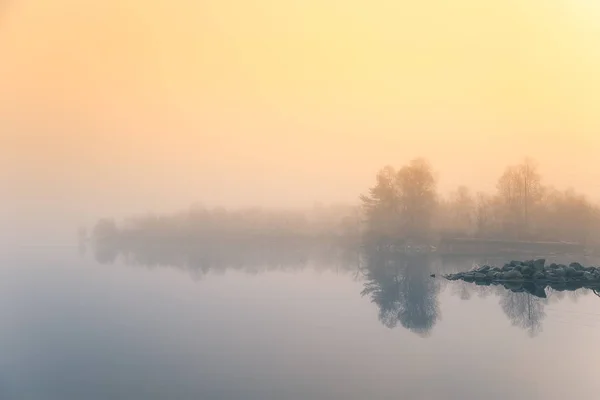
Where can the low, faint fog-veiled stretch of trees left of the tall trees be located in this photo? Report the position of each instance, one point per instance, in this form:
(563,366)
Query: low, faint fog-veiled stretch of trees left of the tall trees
(213,233)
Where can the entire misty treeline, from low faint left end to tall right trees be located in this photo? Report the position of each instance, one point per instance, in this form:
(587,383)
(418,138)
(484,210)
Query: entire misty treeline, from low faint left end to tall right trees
(403,206)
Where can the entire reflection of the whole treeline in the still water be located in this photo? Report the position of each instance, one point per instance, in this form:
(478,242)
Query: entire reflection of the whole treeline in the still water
(398,284)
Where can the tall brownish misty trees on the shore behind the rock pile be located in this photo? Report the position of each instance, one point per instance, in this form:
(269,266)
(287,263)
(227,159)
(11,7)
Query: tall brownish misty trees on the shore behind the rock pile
(404,204)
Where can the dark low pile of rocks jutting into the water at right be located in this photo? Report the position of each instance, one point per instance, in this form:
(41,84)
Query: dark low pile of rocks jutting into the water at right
(534,276)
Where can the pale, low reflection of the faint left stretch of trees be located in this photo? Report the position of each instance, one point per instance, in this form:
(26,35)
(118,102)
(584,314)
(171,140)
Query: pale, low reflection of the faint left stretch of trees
(218,254)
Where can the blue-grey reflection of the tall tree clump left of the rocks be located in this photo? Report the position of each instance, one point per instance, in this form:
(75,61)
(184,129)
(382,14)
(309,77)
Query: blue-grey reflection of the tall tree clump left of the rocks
(400,286)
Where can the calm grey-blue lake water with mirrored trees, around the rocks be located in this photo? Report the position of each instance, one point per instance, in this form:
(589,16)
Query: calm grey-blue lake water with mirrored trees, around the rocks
(283,325)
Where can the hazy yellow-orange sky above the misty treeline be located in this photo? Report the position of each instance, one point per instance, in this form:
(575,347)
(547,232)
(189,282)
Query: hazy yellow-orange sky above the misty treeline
(123,106)
